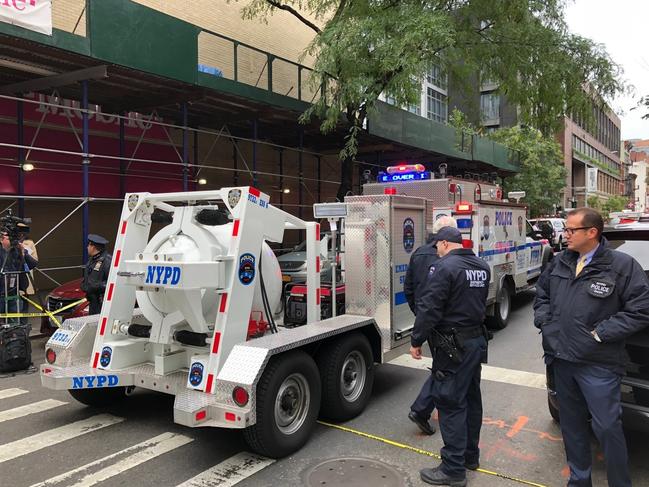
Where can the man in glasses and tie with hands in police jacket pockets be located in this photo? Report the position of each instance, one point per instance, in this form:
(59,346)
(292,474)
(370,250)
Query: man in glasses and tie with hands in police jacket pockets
(588,301)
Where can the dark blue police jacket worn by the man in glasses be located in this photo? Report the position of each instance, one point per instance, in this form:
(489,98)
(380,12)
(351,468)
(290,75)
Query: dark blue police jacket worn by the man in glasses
(610,296)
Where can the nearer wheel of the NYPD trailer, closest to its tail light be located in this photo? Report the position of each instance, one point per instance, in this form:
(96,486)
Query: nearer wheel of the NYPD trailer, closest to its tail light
(288,400)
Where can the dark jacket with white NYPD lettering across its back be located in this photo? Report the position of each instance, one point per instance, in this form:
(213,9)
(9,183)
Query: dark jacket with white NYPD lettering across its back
(454,295)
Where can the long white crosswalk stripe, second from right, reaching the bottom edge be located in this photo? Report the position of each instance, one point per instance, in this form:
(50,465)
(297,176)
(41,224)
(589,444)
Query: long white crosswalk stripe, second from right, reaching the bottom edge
(132,457)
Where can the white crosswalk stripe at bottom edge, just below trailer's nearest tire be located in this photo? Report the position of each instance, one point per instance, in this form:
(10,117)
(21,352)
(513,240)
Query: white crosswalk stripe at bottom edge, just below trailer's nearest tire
(229,472)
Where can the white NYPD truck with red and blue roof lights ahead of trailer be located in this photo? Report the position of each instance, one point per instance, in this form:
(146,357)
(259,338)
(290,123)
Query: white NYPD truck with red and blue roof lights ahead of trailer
(496,229)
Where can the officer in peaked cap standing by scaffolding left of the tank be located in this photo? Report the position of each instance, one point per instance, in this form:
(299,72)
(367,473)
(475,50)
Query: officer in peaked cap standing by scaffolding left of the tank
(96,272)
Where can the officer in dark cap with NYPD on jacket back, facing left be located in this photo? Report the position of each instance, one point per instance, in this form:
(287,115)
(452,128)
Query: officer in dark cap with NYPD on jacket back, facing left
(451,310)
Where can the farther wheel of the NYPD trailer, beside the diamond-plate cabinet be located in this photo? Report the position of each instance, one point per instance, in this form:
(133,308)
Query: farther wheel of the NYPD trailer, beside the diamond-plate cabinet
(347,374)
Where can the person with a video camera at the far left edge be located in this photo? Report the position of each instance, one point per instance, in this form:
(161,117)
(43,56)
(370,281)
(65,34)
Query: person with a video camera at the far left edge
(15,264)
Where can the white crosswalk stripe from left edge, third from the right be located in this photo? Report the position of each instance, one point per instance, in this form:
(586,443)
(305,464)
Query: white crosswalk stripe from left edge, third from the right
(17,448)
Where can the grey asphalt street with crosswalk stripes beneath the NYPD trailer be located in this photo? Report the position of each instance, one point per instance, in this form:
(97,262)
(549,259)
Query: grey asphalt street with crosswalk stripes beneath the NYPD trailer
(46,437)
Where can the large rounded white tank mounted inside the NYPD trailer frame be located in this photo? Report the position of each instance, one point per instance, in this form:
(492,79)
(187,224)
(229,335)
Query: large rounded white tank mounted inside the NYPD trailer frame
(203,243)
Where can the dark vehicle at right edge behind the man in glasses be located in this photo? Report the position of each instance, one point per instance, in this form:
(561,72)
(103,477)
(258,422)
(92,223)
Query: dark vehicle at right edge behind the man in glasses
(632,239)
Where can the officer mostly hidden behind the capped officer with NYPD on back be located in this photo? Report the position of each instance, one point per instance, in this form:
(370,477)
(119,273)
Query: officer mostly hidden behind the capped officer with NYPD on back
(420,262)
